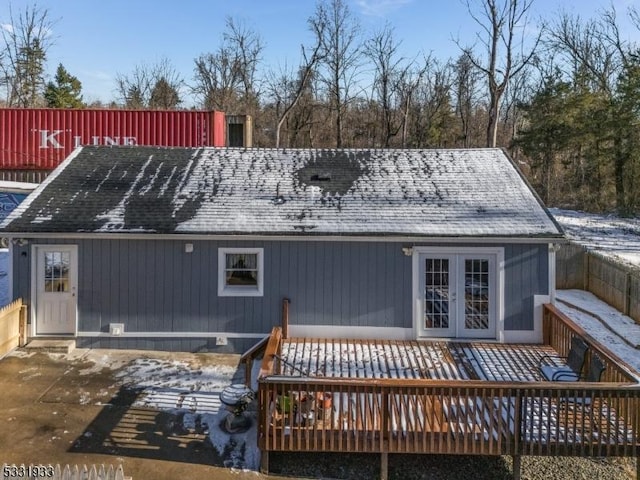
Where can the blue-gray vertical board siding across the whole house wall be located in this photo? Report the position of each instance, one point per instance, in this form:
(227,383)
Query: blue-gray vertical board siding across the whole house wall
(154,286)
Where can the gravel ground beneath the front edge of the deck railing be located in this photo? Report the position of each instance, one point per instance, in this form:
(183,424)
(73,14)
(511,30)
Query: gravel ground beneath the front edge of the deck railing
(448,467)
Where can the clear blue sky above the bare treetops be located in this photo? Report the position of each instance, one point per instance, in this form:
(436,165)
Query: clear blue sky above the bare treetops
(96,39)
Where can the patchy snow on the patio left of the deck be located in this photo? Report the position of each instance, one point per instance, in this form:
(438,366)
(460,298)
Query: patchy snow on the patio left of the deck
(190,389)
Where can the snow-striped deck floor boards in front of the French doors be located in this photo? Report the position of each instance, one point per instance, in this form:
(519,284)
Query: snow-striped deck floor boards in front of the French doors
(413,360)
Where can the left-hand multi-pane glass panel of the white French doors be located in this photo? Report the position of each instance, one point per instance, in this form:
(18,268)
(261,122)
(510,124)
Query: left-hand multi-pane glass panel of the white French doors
(436,293)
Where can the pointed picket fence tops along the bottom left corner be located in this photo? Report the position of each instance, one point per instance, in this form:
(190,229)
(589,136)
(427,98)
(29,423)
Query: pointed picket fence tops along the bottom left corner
(57,472)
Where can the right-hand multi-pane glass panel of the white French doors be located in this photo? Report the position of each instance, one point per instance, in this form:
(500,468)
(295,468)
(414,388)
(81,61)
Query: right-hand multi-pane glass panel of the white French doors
(476,294)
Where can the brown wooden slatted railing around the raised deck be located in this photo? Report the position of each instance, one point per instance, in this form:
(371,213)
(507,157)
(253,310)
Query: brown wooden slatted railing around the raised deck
(312,413)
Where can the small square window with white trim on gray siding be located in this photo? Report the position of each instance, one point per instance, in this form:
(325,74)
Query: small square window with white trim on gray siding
(240,272)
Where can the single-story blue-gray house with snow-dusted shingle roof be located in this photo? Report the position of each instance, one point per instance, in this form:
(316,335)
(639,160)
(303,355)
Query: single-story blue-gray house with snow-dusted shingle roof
(191,249)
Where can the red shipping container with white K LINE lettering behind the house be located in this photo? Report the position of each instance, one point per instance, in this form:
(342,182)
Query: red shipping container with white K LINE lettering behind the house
(40,139)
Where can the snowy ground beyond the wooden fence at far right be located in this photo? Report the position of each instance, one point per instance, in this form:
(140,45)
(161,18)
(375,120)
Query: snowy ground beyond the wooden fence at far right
(608,234)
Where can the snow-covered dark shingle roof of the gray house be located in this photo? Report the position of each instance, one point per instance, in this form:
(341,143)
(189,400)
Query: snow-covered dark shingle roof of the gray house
(426,193)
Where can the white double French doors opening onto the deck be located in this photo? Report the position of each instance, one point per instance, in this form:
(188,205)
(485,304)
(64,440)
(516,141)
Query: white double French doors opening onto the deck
(457,294)
